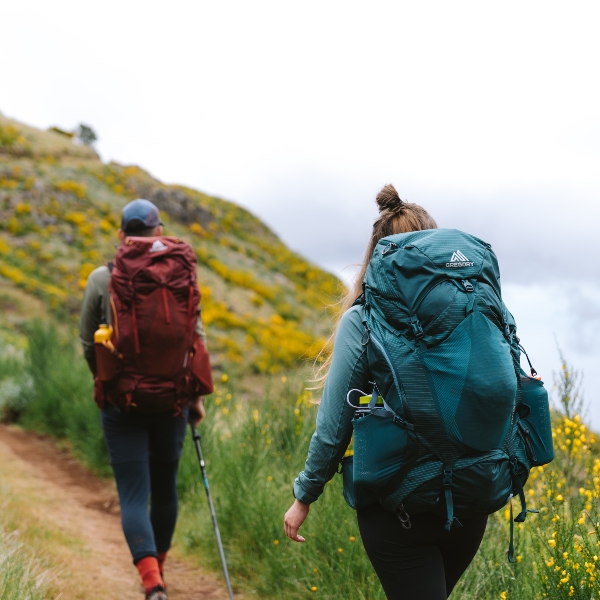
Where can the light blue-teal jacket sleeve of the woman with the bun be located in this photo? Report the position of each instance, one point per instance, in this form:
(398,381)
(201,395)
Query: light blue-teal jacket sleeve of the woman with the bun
(349,370)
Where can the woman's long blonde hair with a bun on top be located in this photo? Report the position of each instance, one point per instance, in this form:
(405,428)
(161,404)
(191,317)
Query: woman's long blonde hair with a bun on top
(395,216)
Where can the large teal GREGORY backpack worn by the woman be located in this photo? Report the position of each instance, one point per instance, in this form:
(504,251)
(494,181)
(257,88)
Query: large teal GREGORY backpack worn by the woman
(453,424)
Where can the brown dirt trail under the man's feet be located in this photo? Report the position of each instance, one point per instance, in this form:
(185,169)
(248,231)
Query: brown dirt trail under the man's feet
(97,564)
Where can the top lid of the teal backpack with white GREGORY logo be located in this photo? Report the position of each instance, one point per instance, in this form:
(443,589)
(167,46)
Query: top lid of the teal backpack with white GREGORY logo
(406,266)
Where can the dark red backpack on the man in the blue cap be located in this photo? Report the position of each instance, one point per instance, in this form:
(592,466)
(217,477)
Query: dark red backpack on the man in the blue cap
(155,300)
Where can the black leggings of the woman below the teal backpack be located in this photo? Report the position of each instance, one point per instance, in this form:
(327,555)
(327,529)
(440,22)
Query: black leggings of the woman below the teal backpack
(423,562)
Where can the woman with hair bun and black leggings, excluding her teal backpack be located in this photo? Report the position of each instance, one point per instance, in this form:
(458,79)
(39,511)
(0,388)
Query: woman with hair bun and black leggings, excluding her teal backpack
(415,556)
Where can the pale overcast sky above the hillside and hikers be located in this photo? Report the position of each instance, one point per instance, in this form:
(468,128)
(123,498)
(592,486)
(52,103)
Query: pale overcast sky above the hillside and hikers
(487,114)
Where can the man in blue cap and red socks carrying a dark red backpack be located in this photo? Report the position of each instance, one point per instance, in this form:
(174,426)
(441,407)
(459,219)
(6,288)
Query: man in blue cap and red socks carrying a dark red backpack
(150,370)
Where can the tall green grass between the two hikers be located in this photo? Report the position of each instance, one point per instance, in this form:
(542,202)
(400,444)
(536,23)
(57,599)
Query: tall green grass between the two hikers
(254,455)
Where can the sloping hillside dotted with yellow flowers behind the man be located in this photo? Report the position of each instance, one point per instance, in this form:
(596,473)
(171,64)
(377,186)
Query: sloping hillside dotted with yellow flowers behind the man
(59,212)
